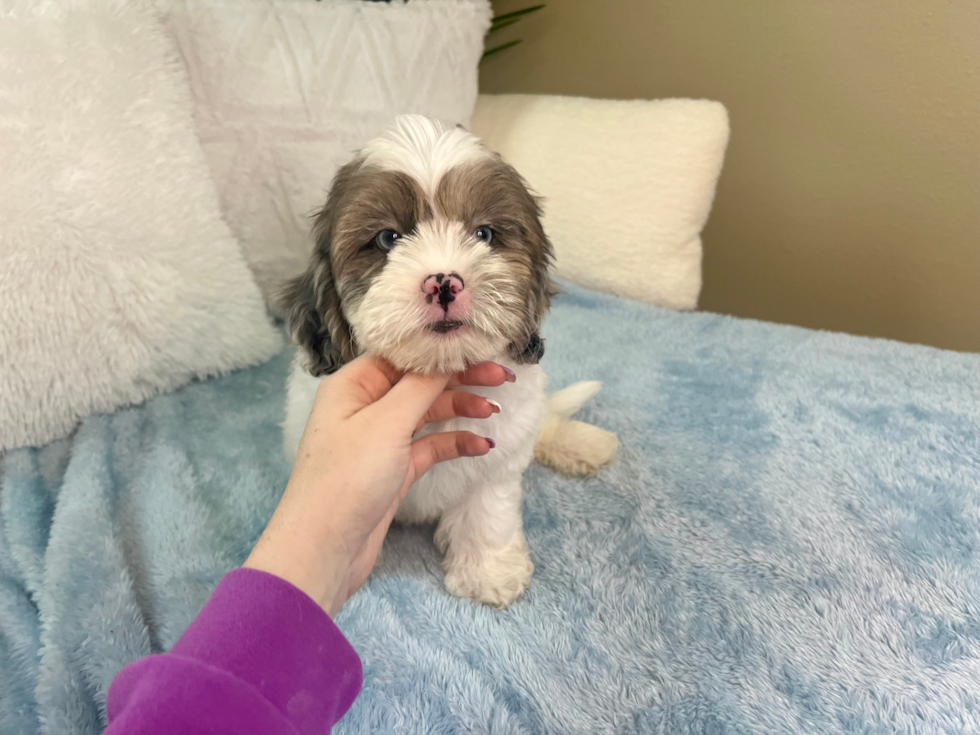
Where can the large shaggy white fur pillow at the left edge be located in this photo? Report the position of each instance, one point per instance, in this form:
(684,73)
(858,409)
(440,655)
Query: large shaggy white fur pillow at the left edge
(118,277)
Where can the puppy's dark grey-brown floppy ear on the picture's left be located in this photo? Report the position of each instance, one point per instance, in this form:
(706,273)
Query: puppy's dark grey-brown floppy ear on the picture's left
(311,303)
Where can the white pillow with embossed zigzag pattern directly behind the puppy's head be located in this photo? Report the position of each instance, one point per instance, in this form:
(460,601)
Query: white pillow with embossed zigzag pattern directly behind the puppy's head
(286,90)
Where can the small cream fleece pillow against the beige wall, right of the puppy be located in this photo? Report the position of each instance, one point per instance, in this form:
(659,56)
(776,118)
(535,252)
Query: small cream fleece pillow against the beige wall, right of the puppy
(627,185)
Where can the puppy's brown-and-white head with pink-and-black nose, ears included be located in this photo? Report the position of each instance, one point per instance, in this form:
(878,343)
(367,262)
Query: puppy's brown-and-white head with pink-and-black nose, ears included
(429,252)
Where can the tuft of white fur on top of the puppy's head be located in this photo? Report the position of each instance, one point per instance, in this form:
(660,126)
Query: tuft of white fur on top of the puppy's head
(423,148)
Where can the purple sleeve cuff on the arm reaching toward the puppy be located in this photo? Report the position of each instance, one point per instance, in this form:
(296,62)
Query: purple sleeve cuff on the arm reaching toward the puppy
(261,657)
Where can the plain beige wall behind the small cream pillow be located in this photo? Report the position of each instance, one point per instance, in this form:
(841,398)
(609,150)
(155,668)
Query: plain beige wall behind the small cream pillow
(850,198)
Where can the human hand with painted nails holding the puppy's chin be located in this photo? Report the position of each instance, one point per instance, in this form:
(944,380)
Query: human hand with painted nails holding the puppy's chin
(356,461)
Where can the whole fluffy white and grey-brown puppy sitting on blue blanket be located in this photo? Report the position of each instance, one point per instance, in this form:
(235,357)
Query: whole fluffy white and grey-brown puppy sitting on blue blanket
(430,252)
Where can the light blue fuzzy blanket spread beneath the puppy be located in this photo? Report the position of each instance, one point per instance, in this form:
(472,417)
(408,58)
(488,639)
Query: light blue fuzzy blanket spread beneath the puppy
(788,543)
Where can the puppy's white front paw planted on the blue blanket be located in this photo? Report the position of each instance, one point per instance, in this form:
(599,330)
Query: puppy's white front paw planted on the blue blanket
(496,578)
